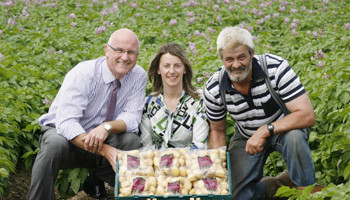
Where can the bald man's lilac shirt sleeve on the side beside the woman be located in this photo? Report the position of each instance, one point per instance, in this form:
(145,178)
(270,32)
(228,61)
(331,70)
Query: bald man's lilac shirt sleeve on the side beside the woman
(132,111)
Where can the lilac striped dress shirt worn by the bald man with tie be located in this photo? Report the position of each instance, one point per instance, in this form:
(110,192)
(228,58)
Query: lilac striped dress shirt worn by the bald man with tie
(81,103)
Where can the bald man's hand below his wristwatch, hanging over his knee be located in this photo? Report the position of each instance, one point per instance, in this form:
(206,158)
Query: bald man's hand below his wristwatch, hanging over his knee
(93,141)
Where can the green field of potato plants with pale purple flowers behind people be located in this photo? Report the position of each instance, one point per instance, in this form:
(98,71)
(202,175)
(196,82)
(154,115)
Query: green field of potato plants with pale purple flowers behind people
(41,40)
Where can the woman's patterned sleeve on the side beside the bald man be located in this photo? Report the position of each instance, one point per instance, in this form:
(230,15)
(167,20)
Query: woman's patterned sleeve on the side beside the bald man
(146,128)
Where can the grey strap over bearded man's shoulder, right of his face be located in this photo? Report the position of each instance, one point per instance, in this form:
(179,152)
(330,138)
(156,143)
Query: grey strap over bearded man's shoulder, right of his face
(273,93)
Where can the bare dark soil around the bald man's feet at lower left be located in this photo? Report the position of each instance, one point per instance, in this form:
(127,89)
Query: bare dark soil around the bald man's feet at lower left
(19,186)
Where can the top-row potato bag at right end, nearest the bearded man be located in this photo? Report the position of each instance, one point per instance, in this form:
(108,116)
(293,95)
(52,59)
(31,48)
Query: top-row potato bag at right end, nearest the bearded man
(206,163)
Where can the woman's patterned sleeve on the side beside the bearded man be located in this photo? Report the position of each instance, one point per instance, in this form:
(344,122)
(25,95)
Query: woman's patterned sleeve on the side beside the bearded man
(200,127)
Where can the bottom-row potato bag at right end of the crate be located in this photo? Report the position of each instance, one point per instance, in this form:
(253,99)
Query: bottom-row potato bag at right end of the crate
(213,185)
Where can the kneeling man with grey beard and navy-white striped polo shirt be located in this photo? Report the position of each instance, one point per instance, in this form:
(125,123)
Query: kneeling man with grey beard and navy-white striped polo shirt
(261,126)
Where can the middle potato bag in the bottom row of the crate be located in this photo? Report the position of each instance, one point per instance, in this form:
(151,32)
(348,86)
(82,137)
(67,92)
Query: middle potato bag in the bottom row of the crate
(173,186)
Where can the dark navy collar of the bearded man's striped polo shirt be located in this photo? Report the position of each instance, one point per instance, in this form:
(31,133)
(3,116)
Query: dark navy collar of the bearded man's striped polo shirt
(257,74)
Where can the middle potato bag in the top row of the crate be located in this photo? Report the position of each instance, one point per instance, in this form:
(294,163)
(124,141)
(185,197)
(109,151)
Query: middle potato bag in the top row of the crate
(170,162)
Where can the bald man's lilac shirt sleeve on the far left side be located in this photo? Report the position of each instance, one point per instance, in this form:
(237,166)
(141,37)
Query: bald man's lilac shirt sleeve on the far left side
(73,101)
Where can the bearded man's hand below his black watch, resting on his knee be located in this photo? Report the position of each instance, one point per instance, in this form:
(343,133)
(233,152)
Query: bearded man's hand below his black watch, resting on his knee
(255,143)
